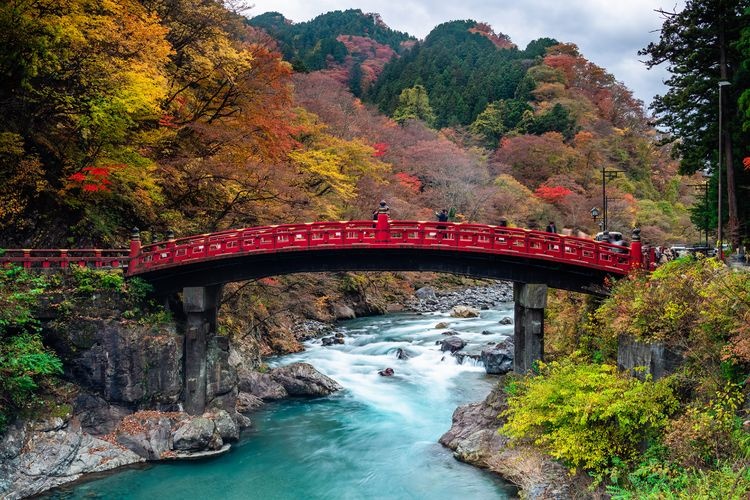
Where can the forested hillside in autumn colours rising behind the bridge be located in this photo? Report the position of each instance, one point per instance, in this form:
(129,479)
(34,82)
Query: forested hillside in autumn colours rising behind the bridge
(204,125)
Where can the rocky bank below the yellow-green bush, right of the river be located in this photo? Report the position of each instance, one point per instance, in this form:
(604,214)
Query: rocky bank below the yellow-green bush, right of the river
(474,439)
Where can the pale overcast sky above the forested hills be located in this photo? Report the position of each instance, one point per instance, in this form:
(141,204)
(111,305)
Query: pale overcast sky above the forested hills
(608,33)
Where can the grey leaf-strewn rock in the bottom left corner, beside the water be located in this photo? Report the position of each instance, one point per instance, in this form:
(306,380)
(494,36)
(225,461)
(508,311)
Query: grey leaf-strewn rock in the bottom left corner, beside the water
(41,455)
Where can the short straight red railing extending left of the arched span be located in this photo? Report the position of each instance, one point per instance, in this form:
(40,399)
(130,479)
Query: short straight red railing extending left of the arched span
(65,258)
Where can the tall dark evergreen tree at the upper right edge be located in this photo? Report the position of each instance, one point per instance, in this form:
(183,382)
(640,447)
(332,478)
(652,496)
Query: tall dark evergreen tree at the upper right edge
(700,44)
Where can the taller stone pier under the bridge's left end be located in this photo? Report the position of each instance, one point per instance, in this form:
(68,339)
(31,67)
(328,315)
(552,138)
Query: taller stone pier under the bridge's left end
(201,306)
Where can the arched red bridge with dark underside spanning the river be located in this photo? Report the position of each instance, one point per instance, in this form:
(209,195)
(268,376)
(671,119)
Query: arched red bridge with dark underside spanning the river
(476,250)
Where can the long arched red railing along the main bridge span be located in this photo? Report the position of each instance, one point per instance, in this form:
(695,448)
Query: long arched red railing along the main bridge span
(392,234)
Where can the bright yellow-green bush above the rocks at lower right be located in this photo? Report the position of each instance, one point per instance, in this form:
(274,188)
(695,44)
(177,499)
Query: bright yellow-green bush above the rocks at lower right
(588,416)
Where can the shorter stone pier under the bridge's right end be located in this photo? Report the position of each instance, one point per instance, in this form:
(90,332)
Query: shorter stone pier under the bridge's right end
(528,336)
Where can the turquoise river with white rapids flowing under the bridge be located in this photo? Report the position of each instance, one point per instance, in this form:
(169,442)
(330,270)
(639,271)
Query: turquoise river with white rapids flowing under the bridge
(375,439)
